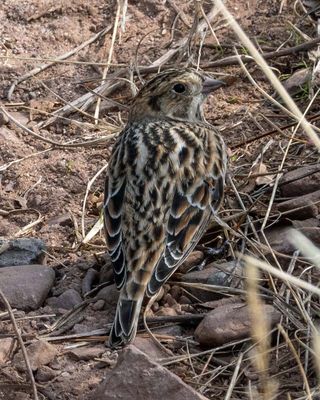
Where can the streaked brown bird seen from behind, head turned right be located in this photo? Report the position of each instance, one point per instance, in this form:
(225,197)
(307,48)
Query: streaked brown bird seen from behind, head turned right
(165,180)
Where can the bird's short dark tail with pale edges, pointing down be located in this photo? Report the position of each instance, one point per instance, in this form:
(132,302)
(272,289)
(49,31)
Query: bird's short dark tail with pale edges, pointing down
(125,322)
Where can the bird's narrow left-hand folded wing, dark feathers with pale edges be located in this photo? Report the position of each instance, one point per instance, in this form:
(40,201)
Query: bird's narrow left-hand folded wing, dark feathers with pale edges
(115,185)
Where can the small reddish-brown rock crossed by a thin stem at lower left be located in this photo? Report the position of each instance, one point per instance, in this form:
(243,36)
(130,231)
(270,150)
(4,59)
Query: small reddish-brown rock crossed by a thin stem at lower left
(39,353)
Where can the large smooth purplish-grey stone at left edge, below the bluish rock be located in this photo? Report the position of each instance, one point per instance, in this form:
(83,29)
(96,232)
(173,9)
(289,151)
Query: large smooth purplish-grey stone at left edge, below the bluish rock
(26,287)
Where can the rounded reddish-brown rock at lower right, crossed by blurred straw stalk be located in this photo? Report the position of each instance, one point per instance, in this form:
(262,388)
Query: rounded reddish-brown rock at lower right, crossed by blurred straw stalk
(228,323)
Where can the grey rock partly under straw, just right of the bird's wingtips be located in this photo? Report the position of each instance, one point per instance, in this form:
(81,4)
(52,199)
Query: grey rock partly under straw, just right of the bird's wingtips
(219,274)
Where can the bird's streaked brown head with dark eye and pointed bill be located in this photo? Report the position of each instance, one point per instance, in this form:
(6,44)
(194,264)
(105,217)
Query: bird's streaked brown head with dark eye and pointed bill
(173,94)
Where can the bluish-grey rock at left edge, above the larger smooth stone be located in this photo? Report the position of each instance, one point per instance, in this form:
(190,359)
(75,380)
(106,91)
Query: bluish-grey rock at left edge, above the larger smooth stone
(21,252)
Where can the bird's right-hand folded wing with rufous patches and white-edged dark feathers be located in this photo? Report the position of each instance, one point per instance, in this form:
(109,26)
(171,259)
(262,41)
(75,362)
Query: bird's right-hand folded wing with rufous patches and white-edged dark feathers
(188,218)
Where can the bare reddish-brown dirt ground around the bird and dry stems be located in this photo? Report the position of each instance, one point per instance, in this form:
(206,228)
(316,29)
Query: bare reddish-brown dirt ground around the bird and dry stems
(44,185)
